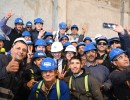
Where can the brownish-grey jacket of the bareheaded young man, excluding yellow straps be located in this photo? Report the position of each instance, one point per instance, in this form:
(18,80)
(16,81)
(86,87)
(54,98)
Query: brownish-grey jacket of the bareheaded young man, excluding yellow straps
(78,91)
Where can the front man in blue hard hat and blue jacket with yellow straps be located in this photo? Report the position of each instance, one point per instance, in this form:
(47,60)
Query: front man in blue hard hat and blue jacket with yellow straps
(50,88)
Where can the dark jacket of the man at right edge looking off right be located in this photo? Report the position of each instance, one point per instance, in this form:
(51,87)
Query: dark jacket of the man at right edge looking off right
(121,83)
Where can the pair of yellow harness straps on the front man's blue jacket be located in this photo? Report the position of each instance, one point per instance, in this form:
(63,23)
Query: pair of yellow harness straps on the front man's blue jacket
(57,88)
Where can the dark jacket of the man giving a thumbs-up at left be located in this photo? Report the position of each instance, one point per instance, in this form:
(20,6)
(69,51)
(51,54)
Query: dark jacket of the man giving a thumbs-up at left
(10,81)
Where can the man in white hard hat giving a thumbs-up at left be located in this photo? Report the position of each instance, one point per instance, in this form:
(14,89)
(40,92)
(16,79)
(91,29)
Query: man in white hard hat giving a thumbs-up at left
(12,67)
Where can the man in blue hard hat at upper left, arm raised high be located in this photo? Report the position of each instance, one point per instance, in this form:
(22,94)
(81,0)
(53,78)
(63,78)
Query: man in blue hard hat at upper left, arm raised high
(12,33)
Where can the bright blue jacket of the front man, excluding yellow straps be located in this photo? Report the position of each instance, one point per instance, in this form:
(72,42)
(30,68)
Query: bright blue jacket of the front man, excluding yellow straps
(52,95)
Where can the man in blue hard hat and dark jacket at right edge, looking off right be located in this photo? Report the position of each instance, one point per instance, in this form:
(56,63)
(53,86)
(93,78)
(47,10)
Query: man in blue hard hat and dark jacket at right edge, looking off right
(120,78)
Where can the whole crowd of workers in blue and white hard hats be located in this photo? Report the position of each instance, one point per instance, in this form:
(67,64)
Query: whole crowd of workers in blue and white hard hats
(39,65)
